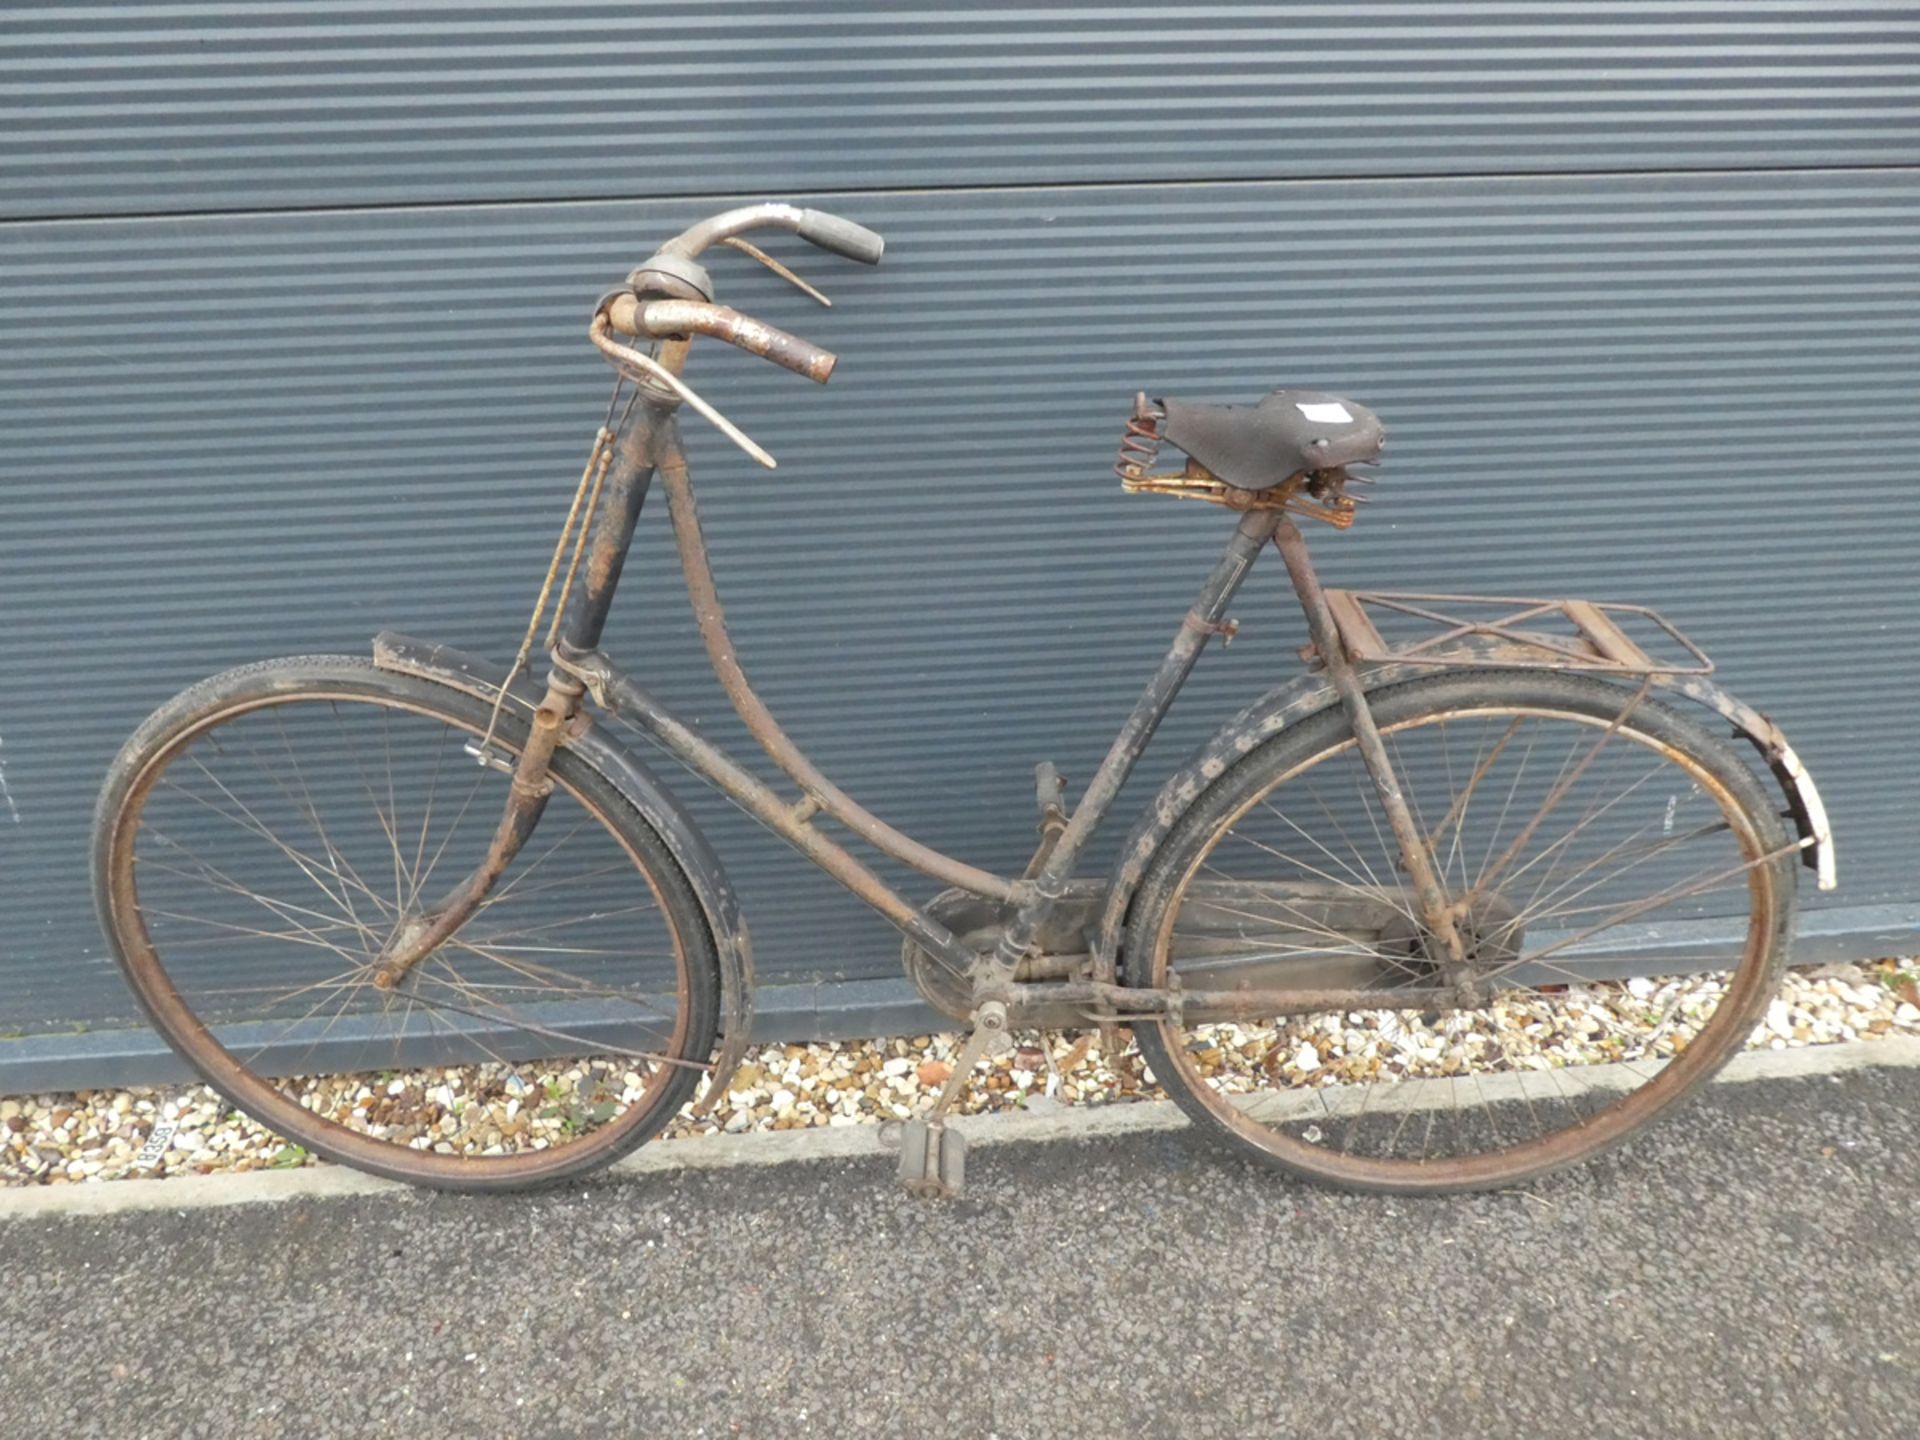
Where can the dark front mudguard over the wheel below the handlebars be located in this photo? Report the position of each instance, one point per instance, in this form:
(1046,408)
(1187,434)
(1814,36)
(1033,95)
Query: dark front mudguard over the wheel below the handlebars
(656,805)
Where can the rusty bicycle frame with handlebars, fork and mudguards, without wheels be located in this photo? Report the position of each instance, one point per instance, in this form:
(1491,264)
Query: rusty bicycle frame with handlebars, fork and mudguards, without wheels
(1020,978)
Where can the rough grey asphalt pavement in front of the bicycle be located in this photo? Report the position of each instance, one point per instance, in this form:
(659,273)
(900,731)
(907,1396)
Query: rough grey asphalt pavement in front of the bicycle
(1746,1270)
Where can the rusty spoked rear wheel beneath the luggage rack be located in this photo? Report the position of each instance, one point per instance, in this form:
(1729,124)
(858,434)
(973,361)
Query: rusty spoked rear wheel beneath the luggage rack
(1620,882)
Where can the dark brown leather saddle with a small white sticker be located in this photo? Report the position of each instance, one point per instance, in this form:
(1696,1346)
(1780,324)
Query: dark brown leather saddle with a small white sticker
(1262,446)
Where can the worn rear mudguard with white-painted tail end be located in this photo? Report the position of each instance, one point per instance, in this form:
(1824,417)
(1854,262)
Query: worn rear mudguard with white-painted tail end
(1310,694)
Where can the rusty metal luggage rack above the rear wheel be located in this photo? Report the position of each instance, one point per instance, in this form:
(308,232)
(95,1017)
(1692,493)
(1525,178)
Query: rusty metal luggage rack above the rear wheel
(1529,635)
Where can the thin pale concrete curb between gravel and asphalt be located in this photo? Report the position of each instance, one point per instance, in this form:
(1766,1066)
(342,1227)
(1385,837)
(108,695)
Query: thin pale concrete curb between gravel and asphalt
(1040,1122)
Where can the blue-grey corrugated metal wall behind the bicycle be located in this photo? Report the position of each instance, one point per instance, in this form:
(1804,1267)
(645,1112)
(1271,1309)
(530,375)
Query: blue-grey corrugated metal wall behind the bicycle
(293,350)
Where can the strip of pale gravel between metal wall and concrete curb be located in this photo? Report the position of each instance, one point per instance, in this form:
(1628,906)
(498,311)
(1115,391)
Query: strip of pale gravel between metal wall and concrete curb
(158,1132)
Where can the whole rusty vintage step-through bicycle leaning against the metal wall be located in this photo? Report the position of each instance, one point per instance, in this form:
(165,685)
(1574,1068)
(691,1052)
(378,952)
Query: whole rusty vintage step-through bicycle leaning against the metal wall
(1476,896)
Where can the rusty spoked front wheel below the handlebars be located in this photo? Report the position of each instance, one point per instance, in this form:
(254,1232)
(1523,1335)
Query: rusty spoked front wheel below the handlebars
(262,838)
